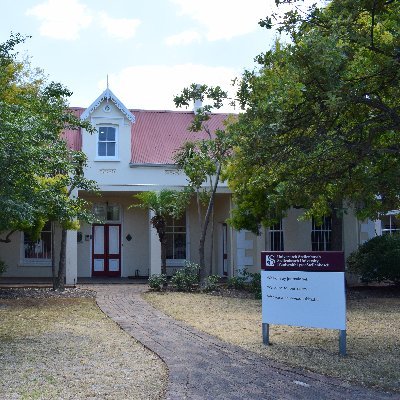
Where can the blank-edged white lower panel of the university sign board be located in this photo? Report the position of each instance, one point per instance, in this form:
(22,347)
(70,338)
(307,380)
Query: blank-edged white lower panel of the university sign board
(298,298)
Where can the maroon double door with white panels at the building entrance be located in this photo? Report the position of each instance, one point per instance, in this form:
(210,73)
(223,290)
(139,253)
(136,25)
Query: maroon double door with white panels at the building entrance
(106,252)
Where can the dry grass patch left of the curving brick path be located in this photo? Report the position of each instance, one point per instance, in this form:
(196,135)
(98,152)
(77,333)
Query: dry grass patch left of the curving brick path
(57,348)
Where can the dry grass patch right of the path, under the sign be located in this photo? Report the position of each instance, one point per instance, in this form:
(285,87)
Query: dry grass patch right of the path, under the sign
(373,335)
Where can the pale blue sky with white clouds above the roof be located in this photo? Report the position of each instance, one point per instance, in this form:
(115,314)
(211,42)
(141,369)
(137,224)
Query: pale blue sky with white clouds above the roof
(150,50)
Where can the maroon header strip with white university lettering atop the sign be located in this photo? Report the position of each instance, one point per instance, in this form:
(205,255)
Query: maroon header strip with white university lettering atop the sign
(313,261)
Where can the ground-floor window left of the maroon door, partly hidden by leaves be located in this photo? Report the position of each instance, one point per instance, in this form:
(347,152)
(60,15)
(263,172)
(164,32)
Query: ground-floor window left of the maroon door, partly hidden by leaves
(38,252)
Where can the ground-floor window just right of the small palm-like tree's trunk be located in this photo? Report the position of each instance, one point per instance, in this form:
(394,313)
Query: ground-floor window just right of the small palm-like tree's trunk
(176,239)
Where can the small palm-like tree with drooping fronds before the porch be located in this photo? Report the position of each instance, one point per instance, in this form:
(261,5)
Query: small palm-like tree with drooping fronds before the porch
(164,204)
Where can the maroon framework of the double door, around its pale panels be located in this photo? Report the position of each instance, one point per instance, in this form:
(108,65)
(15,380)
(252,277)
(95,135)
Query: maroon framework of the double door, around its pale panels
(106,272)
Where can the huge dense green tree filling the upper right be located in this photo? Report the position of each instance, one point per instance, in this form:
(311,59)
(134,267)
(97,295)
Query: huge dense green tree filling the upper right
(321,126)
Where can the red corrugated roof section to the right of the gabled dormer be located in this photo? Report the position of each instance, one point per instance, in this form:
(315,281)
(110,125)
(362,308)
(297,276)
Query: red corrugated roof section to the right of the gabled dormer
(156,135)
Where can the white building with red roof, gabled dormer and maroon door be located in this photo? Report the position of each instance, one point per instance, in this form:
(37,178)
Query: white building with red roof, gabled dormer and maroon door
(132,152)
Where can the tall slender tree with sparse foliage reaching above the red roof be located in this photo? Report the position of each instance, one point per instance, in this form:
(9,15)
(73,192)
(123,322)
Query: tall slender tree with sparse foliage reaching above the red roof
(203,160)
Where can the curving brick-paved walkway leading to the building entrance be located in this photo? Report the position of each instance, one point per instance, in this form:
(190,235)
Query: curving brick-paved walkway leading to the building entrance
(203,367)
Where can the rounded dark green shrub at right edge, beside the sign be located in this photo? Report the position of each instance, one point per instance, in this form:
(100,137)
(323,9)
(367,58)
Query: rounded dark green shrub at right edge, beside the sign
(377,260)
